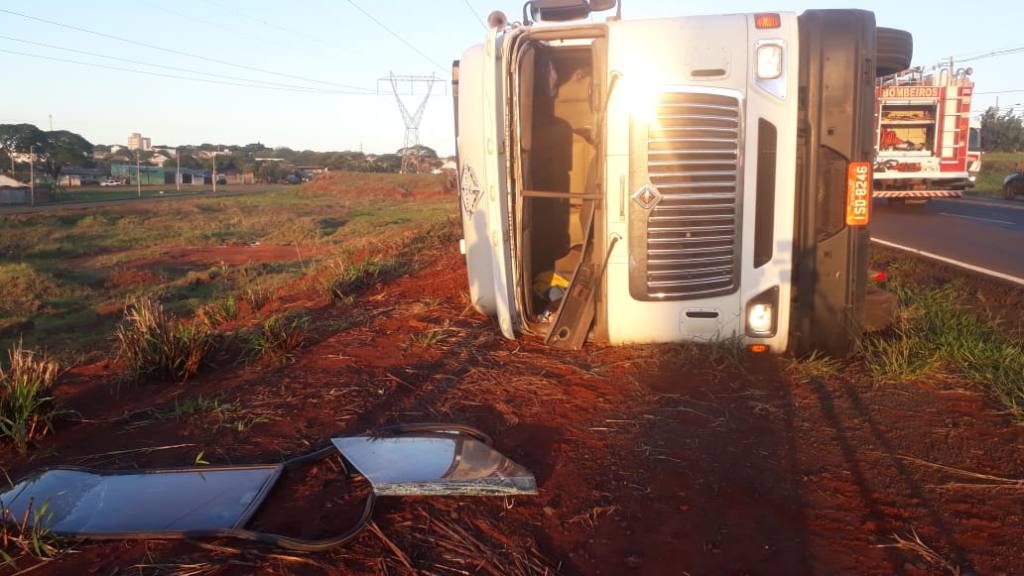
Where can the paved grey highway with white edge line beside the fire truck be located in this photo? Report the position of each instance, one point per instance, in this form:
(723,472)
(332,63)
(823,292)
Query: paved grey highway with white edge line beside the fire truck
(988,234)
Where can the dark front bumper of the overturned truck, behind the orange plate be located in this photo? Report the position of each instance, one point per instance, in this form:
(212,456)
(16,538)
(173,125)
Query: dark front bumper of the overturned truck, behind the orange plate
(837,99)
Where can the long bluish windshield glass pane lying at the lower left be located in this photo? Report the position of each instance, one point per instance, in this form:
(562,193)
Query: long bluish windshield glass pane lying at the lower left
(79,502)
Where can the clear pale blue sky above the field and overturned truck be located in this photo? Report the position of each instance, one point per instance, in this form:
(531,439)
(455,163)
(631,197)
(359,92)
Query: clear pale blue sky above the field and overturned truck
(319,46)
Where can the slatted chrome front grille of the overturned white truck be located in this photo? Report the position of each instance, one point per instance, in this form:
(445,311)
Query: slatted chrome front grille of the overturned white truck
(694,160)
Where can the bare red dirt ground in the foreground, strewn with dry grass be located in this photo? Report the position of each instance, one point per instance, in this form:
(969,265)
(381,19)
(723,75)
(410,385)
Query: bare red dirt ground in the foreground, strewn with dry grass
(650,461)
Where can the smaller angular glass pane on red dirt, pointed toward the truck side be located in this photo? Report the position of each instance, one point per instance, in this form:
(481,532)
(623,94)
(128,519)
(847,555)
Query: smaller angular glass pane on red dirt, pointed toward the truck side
(435,465)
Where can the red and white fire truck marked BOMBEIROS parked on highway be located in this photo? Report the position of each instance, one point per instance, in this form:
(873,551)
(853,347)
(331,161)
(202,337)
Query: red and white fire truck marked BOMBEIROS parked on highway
(924,135)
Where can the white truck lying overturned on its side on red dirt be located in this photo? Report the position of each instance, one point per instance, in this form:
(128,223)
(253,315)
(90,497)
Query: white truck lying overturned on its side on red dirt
(671,180)
